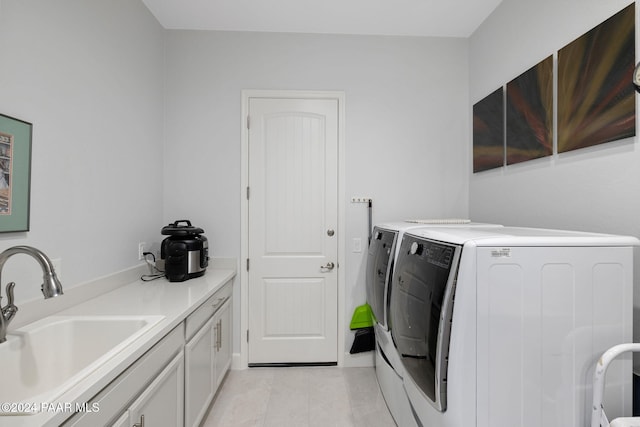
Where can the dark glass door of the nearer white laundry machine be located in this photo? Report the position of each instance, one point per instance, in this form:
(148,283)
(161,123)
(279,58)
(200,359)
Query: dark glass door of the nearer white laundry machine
(422,306)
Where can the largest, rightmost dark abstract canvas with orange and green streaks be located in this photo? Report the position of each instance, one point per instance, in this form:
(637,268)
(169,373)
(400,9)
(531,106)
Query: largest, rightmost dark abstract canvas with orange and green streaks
(596,98)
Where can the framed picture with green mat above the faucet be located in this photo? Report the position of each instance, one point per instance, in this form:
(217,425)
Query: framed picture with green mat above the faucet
(15,174)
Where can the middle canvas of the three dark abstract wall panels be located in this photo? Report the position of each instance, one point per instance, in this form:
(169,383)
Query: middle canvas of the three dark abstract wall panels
(530,114)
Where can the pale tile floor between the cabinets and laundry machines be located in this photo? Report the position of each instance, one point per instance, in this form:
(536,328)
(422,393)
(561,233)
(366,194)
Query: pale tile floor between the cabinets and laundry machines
(300,397)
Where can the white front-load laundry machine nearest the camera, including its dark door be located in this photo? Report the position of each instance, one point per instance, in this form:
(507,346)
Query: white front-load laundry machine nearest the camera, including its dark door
(502,327)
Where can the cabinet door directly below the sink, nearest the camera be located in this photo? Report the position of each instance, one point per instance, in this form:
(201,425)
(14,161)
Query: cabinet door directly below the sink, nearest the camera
(161,404)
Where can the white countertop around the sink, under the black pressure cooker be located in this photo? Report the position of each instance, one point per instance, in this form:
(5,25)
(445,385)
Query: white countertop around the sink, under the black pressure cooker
(173,300)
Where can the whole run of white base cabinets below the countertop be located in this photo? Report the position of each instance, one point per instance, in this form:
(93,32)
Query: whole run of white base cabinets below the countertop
(174,383)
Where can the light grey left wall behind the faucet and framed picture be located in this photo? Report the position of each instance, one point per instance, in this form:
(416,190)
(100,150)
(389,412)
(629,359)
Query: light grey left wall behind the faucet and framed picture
(89,75)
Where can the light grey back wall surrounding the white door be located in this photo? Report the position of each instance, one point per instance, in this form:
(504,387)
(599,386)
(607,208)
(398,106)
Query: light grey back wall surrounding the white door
(406,126)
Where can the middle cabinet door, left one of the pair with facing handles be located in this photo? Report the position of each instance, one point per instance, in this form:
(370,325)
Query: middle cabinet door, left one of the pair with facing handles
(199,374)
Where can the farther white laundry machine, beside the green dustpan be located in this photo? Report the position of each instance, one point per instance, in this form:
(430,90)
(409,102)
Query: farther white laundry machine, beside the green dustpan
(382,253)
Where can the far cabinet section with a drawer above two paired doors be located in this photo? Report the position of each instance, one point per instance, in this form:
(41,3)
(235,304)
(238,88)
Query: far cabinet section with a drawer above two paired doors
(207,354)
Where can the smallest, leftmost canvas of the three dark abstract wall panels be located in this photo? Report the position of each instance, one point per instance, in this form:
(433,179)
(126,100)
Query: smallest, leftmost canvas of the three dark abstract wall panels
(488,132)
